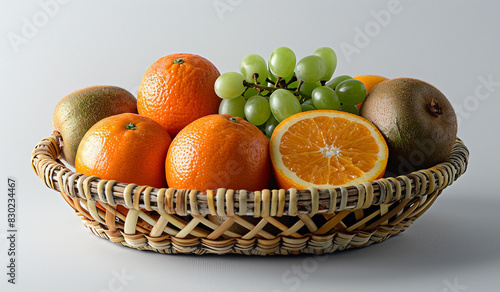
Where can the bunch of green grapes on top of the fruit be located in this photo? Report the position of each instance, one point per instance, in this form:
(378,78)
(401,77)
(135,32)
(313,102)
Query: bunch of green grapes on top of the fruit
(267,93)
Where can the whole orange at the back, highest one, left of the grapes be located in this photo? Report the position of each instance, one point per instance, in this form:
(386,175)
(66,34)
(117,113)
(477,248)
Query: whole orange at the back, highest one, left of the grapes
(178,89)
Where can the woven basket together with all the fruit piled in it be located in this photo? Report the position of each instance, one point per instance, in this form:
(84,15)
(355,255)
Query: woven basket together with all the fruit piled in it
(281,157)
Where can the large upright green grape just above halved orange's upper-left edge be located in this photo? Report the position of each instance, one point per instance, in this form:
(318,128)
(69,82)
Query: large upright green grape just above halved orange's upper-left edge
(283,104)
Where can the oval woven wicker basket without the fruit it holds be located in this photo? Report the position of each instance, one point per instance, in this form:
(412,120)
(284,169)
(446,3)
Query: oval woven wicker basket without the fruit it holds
(267,222)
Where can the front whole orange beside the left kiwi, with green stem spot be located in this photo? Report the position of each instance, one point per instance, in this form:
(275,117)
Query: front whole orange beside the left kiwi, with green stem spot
(128,148)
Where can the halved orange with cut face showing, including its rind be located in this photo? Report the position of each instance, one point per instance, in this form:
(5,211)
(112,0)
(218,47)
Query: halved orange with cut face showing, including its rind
(326,148)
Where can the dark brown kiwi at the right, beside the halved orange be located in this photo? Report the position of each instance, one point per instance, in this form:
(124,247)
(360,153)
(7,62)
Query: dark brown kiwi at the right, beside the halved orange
(417,121)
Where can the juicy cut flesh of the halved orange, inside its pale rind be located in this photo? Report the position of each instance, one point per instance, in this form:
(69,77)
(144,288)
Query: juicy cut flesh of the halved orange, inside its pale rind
(324,150)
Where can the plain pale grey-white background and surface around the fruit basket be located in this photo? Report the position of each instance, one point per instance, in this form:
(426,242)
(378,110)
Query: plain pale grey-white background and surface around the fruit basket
(48,51)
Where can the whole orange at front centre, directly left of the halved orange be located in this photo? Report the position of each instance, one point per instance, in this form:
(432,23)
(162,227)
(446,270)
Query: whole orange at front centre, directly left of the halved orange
(219,151)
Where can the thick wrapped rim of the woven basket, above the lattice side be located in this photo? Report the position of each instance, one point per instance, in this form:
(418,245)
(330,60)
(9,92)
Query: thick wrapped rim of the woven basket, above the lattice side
(46,163)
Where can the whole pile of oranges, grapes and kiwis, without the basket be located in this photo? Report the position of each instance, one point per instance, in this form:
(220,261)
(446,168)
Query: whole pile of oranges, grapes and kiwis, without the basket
(194,128)
